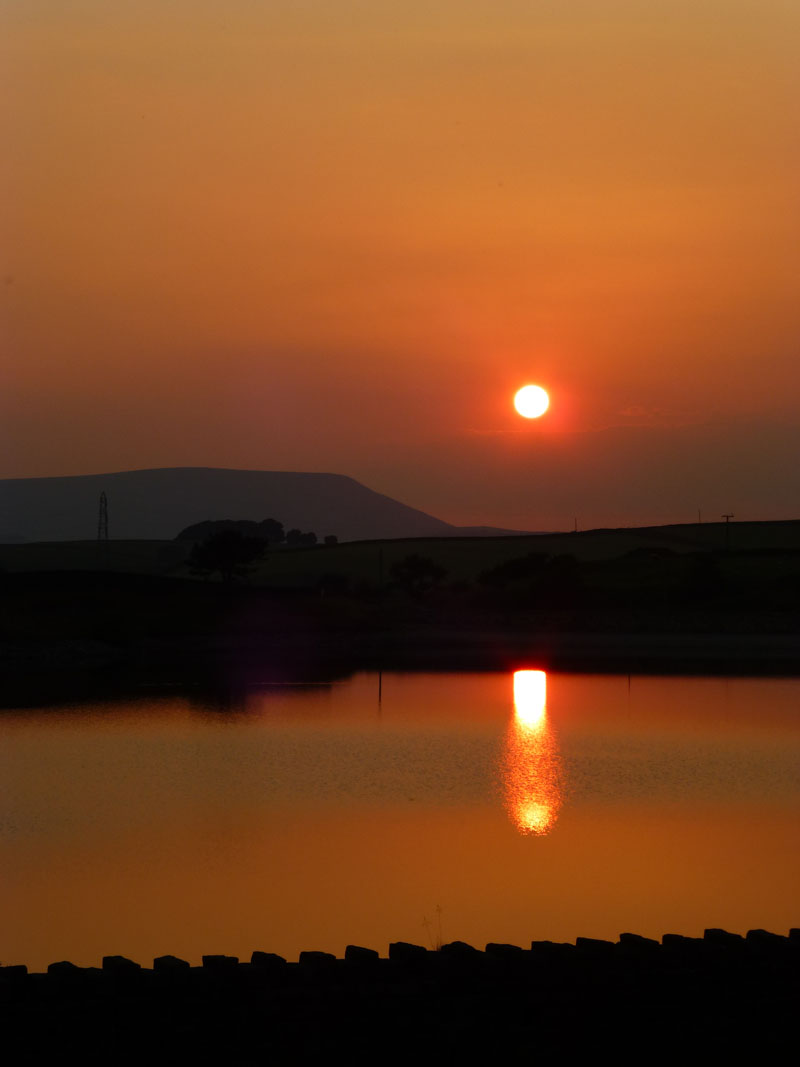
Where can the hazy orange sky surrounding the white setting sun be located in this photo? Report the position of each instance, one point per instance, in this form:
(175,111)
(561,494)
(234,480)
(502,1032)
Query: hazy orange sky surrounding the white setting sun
(337,235)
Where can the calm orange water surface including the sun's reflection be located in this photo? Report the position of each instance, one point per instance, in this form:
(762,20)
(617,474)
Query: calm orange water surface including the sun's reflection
(478,807)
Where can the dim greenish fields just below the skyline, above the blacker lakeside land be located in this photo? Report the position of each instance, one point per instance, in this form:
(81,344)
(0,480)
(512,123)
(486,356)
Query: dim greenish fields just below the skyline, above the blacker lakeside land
(756,548)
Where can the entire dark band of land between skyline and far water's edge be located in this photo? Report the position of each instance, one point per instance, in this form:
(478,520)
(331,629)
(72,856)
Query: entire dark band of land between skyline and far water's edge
(661,598)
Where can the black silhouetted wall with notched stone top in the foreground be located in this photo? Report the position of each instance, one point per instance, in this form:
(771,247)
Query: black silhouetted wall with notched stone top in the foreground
(638,1000)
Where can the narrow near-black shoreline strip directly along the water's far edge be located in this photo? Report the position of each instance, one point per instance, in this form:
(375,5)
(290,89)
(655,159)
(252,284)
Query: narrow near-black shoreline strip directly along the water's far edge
(66,671)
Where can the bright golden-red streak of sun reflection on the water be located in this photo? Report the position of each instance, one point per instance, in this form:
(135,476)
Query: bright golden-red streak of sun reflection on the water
(532,761)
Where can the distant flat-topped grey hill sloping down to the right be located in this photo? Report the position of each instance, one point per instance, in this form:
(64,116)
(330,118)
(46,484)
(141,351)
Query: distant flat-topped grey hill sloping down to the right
(158,504)
